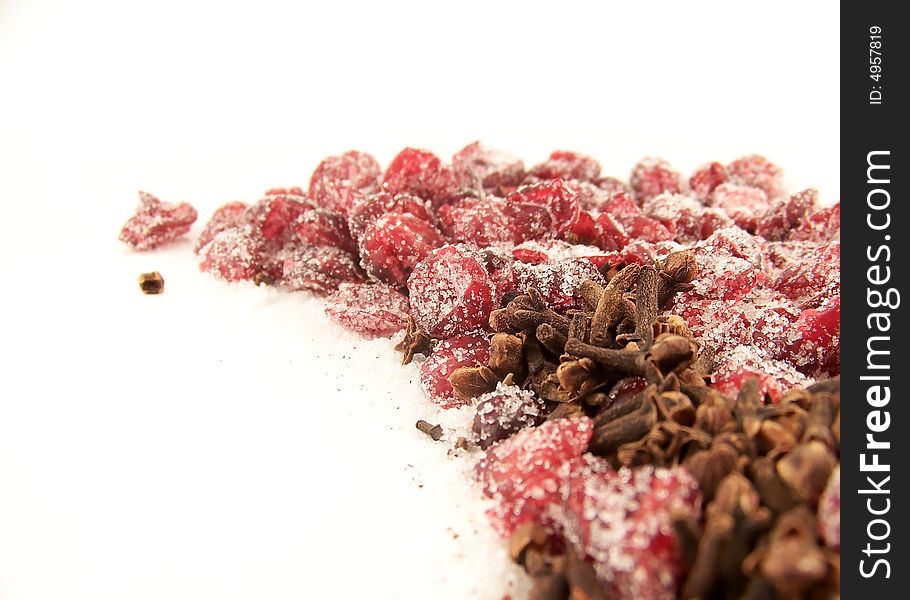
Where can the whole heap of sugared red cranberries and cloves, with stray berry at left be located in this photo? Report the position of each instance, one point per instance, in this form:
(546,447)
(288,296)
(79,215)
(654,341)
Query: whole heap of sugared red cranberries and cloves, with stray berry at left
(652,364)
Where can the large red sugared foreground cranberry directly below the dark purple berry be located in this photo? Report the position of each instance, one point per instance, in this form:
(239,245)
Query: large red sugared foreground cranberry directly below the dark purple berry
(526,473)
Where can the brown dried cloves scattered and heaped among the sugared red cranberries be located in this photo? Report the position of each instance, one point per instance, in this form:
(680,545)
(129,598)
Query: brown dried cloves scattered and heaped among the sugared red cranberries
(643,379)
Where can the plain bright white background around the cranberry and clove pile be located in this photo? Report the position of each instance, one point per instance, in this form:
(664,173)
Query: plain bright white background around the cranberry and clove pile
(226,442)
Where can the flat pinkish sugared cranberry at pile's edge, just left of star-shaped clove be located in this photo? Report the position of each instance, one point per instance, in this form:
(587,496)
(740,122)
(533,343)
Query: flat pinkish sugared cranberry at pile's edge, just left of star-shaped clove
(371,310)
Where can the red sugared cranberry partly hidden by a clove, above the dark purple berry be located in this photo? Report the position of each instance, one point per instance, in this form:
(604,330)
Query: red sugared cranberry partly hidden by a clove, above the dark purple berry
(454,353)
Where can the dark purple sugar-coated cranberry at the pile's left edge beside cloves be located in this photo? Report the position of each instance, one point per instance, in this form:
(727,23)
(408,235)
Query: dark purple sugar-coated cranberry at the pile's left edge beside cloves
(505,411)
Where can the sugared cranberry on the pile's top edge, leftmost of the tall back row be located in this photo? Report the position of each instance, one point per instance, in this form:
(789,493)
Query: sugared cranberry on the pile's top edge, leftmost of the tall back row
(353,170)
